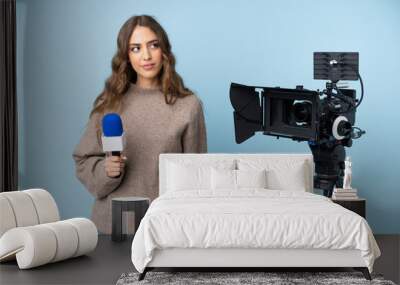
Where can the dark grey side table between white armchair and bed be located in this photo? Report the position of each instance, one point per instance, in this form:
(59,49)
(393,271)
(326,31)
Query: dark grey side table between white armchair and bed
(139,205)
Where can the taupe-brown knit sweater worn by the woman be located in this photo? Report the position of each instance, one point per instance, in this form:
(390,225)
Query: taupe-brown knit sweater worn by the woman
(151,127)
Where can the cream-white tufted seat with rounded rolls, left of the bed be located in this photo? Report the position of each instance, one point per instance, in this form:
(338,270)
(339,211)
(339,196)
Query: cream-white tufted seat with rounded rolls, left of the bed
(31,231)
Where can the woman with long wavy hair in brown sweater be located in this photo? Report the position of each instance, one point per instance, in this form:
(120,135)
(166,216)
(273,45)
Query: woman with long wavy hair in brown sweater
(159,115)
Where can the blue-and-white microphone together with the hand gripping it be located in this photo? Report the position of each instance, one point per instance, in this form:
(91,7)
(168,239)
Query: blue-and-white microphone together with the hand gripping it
(112,141)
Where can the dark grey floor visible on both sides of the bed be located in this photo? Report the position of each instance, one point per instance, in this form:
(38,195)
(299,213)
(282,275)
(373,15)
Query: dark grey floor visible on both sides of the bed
(110,260)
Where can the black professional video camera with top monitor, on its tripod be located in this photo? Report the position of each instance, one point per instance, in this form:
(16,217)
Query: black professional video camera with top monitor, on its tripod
(325,119)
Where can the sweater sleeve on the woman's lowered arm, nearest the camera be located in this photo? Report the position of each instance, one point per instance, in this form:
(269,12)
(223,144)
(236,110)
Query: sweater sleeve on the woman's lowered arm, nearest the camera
(195,137)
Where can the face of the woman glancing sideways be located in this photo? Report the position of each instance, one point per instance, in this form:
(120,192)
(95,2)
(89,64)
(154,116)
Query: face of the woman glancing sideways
(145,53)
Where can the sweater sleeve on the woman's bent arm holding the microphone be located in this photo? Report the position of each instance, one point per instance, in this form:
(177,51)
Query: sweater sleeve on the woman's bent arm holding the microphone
(89,163)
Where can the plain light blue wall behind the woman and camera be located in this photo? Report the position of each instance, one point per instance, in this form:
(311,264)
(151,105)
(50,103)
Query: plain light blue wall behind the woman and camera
(64,51)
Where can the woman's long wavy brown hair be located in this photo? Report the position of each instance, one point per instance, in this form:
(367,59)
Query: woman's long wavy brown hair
(171,84)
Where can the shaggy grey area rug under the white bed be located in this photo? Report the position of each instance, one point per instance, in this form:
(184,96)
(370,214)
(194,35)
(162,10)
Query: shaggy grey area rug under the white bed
(233,278)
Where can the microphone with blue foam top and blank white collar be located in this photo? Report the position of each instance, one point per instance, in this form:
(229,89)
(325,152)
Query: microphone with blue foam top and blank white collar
(113,133)
